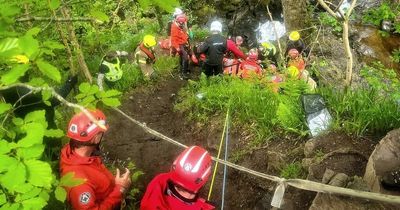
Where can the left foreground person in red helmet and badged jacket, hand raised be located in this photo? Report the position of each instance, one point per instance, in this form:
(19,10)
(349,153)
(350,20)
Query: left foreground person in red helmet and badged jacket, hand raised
(101,190)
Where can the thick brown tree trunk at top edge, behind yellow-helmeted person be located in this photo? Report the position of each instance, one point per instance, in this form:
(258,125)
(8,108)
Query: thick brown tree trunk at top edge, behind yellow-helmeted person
(295,14)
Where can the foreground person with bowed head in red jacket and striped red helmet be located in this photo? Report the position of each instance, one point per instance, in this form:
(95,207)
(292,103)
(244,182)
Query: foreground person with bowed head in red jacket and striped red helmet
(179,188)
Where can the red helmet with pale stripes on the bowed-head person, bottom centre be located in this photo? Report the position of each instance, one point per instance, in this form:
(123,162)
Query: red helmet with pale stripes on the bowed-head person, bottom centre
(191,169)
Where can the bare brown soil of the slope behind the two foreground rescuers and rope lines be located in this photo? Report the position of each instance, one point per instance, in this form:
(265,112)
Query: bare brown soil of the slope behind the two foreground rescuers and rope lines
(155,107)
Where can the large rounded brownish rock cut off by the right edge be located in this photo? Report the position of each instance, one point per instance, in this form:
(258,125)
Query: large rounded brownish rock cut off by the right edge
(385,157)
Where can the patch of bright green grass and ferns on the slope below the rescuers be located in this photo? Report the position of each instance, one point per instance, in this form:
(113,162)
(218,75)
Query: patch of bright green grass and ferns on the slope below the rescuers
(256,109)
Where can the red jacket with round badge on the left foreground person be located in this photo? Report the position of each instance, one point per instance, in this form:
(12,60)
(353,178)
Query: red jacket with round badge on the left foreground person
(99,190)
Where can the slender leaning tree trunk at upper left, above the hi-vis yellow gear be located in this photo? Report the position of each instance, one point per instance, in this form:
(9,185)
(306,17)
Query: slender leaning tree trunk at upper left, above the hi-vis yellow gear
(74,41)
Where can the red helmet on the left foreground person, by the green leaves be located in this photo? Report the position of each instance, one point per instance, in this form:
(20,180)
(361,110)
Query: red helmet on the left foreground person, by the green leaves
(81,128)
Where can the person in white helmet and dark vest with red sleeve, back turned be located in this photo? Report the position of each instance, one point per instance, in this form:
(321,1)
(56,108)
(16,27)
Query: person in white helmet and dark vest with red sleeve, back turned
(214,47)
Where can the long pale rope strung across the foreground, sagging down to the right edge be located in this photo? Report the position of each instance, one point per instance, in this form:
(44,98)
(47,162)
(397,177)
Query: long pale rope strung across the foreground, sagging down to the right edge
(297,183)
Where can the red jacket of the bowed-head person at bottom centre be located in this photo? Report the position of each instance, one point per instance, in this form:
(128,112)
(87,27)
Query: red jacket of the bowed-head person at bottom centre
(157,198)
